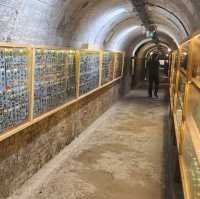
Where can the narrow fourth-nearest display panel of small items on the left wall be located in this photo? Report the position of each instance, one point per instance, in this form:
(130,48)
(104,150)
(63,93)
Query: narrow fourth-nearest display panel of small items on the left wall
(107,67)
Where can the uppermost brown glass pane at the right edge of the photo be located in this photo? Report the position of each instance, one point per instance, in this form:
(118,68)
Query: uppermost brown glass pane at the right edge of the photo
(196,59)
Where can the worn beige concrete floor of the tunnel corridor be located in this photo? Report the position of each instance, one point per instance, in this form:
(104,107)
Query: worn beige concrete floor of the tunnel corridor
(119,157)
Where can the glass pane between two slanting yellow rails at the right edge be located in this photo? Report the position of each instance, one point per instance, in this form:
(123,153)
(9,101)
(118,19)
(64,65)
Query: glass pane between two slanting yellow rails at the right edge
(194,105)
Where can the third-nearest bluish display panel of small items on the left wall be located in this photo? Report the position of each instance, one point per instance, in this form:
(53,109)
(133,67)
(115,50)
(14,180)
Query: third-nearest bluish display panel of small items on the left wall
(89,71)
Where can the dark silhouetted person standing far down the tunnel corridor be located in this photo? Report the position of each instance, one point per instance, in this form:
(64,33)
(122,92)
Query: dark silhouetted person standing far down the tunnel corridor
(153,71)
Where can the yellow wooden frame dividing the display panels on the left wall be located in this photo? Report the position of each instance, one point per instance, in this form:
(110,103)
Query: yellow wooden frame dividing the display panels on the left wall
(31,49)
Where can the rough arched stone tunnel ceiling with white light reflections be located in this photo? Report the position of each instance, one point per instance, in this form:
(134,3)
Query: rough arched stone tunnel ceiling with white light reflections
(113,24)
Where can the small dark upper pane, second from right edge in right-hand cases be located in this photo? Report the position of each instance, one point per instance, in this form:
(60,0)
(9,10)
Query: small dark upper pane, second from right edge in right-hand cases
(184,56)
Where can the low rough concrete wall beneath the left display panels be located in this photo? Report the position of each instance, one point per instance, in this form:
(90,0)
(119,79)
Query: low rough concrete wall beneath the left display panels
(23,154)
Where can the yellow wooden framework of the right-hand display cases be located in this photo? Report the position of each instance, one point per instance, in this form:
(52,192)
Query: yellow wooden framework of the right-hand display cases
(186,126)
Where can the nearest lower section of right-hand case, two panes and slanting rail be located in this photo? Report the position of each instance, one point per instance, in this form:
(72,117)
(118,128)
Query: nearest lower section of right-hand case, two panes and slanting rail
(191,142)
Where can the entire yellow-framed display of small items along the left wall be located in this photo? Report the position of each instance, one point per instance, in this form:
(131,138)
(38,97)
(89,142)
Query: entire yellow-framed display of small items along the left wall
(36,82)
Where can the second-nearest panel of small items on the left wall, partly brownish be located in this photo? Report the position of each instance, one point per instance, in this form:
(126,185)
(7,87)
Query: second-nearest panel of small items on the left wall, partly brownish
(54,79)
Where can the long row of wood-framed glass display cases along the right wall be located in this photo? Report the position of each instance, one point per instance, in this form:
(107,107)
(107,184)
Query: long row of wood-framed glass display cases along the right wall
(187,114)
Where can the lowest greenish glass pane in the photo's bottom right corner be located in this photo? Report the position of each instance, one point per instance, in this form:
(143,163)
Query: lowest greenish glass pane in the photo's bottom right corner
(192,166)
